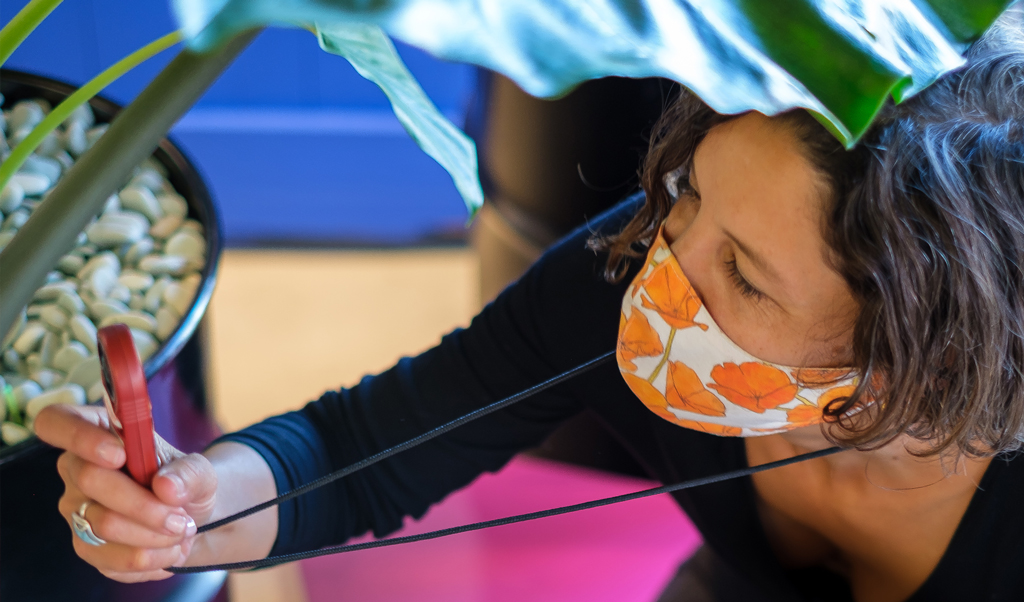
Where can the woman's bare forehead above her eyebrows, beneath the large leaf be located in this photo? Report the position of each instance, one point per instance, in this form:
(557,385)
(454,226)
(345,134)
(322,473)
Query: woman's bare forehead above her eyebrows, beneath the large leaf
(761,189)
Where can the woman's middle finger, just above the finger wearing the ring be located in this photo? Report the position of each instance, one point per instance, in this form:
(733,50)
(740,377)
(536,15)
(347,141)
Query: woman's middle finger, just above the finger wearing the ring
(117,492)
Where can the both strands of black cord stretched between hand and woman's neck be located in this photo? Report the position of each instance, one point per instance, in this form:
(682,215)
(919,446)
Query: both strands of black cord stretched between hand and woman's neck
(275,561)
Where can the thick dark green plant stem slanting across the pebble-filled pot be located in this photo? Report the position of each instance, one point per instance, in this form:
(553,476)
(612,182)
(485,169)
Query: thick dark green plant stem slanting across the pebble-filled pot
(81,193)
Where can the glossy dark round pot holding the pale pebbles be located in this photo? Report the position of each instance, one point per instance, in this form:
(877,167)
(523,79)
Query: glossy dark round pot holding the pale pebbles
(37,562)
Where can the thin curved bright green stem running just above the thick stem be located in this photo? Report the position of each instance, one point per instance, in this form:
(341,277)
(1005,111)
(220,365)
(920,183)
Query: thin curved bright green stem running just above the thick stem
(81,97)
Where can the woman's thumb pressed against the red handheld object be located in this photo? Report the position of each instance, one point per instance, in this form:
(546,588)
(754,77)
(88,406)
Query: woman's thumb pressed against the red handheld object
(189,482)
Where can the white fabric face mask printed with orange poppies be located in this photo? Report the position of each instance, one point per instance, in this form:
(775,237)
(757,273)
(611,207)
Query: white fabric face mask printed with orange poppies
(685,369)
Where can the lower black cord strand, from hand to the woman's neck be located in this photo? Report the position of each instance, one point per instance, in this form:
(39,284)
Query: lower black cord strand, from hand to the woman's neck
(274,561)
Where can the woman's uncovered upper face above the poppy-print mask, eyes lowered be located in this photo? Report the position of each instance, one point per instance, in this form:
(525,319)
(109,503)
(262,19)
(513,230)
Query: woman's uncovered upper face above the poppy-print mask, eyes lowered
(747,233)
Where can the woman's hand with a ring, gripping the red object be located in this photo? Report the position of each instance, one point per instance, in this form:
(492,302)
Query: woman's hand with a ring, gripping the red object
(146,531)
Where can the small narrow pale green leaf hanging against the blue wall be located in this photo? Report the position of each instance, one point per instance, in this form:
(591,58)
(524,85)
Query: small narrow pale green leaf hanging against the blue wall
(371,53)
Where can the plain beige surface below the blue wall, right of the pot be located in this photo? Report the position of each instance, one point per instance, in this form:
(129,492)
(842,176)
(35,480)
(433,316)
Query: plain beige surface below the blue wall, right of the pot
(288,326)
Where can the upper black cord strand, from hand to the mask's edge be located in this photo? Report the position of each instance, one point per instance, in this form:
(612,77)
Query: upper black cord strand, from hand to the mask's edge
(412,443)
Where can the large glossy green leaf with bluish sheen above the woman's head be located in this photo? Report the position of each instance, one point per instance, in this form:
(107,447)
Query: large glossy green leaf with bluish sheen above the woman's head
(840,60)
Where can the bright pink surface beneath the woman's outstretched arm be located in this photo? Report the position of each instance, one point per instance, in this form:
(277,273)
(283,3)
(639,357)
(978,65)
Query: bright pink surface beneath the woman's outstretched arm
(626,552)
